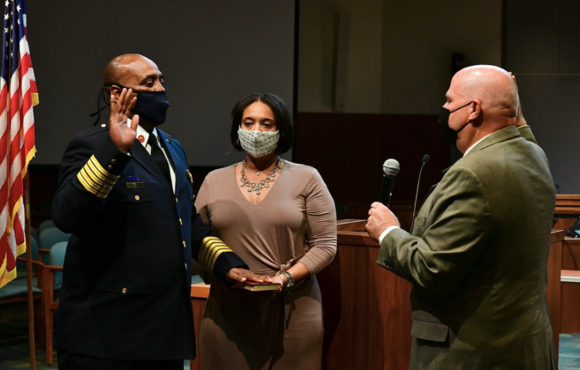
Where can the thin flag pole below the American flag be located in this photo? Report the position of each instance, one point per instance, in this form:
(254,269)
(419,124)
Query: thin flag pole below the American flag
(32,344)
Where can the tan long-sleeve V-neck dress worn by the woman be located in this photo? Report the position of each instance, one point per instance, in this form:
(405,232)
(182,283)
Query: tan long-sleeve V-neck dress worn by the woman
(295,221)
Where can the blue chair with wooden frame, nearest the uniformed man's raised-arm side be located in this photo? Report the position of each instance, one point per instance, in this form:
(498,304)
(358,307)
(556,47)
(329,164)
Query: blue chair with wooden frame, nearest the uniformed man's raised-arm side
(52,283)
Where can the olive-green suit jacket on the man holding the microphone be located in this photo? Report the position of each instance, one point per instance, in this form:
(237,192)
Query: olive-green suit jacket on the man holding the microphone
(477,260)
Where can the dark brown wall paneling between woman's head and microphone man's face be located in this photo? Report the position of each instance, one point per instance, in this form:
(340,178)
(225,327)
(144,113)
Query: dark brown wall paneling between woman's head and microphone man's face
(349,151)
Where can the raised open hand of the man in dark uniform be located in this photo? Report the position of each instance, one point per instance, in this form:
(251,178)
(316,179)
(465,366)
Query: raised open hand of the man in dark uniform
(121,128)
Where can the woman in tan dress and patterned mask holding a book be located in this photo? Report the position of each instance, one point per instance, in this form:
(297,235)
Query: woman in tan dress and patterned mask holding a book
(280,219)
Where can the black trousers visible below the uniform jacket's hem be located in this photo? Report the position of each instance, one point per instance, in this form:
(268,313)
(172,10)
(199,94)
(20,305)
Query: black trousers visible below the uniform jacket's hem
(74,361)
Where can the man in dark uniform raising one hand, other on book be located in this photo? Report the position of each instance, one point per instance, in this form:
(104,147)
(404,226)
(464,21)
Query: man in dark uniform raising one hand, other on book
(125,300)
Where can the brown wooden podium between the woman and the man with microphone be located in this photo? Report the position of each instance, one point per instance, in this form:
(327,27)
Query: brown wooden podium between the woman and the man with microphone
(367,311)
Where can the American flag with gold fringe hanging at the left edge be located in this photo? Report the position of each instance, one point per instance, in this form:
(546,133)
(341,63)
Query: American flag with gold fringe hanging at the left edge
(18,94)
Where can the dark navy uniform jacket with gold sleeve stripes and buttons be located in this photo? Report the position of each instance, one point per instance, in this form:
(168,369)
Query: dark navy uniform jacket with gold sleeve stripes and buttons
(127,270)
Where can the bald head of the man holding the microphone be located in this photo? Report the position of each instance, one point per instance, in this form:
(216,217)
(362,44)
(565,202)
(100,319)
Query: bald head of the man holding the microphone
(495,89)
